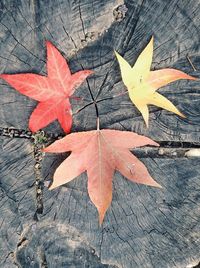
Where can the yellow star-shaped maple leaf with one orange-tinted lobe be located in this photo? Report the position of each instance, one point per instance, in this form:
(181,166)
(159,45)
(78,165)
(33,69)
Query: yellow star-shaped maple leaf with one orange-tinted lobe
(143,83)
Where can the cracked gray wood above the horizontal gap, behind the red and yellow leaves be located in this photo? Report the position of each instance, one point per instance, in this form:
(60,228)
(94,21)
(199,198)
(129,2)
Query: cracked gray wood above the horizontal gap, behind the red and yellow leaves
(174,24)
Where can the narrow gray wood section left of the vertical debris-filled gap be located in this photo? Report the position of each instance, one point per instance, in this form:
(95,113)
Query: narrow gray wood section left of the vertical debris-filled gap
(17,195)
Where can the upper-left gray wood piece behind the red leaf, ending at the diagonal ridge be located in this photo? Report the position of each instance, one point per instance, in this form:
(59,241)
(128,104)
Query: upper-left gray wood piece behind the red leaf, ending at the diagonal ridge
(24,28)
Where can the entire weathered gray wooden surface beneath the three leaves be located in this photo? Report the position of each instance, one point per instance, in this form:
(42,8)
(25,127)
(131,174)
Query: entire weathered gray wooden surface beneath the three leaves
(144,227)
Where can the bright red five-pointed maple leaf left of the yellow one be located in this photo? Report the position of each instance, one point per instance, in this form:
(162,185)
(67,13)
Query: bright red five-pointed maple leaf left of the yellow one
(52,91)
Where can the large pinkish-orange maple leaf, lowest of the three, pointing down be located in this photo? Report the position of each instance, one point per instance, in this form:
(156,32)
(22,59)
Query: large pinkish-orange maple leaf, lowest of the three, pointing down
(100,153)
